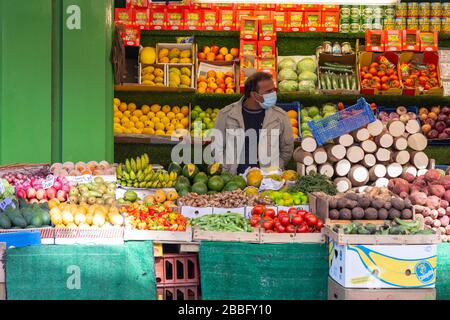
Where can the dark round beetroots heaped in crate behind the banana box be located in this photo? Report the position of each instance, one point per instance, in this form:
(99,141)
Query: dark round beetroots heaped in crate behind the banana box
(378,204)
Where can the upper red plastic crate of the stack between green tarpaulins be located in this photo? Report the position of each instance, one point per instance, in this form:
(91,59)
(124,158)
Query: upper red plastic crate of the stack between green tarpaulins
(177,269)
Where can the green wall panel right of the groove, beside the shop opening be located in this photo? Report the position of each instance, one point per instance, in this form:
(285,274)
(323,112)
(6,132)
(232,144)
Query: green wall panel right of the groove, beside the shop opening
(87,84)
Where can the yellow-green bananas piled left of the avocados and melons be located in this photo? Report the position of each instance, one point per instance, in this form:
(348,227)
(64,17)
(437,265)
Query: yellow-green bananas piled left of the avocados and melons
(140,174)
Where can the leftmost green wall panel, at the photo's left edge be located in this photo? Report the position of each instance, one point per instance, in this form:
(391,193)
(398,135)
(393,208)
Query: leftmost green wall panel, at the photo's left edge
(25,81)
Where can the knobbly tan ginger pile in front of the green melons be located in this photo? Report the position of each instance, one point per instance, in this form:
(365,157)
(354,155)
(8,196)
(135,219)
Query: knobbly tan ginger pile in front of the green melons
(229,199)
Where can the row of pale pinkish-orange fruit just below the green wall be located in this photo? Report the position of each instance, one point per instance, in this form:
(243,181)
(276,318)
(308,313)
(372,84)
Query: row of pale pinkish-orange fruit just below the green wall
(80,168)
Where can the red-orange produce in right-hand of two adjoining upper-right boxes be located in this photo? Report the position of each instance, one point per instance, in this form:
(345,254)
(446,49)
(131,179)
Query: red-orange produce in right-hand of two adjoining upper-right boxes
(415,75)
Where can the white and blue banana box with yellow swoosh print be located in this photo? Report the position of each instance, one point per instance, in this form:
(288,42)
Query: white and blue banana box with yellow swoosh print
(383,266)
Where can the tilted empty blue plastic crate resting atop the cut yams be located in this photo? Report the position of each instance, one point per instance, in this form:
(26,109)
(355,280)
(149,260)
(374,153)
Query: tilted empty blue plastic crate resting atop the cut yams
(342,122)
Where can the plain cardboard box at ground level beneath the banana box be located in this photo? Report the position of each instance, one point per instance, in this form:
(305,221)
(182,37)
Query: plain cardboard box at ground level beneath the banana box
(338,292)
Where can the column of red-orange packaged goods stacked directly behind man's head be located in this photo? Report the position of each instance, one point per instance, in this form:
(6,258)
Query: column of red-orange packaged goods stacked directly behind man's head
(257,48)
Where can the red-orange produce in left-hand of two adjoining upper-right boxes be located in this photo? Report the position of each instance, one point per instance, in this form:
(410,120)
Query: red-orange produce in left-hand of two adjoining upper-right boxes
(381,75)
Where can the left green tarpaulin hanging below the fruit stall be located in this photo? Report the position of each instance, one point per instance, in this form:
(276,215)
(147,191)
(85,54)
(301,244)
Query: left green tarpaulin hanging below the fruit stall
(81,272)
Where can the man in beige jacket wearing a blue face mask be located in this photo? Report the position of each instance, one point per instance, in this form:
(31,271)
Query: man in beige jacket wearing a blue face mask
(256,110)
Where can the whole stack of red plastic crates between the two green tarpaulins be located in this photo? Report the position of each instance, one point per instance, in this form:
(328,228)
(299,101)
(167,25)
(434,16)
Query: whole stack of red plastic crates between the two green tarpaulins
(177,277)
